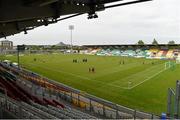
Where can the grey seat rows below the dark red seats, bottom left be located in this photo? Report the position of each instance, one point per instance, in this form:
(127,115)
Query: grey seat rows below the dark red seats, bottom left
(23,110)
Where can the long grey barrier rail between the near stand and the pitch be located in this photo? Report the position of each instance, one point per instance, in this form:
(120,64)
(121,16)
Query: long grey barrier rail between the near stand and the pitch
(104,103)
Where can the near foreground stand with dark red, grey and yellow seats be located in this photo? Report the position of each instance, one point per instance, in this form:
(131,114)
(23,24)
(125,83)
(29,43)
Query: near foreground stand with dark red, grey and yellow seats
(32,96)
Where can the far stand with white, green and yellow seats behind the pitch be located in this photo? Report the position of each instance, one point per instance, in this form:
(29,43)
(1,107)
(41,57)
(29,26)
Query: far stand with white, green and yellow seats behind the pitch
(161,51)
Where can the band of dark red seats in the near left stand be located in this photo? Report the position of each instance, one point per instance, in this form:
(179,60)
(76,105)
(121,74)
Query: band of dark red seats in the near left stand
(54,107)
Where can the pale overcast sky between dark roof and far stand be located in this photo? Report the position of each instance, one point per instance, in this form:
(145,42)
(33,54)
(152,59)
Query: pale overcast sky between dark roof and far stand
(159,19)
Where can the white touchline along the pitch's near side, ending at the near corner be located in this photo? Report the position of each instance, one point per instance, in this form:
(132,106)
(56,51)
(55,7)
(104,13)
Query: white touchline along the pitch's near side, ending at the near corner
(82,77)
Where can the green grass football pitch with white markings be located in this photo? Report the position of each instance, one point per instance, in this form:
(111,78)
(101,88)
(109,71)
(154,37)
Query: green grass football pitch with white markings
(138,83)
